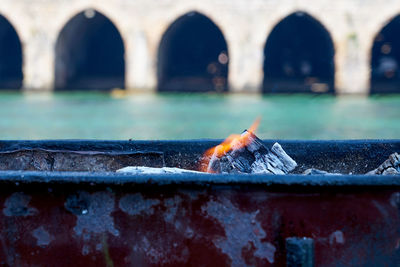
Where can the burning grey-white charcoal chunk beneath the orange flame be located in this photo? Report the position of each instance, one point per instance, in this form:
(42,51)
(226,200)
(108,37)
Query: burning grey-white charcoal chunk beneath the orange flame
(251,157)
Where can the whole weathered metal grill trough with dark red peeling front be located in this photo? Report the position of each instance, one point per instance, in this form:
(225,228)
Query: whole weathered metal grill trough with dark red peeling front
(64,200)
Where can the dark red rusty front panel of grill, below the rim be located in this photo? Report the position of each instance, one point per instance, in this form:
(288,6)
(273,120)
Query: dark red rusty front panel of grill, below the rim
(142,225)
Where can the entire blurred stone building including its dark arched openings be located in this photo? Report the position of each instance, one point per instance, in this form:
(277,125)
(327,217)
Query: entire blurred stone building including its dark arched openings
(344,46)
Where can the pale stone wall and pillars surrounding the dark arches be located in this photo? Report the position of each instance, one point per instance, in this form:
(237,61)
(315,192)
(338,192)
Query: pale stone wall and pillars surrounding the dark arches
(246,24)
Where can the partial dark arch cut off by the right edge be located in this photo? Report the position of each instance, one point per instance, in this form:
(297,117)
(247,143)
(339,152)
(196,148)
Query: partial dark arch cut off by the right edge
(385,59)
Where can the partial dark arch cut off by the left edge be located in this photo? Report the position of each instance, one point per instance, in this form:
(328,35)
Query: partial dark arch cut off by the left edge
(10,56)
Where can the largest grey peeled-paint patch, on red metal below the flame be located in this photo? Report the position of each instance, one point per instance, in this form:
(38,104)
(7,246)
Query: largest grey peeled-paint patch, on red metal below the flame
(241,228)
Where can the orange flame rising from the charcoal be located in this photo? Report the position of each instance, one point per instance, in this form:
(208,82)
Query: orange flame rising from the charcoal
(234,140)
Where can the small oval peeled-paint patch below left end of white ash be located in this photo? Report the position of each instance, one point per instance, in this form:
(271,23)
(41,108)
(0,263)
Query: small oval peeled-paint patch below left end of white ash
(135,204)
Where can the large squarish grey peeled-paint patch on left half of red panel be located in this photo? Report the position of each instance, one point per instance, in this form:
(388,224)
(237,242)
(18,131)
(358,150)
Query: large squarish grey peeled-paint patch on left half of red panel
(98,217)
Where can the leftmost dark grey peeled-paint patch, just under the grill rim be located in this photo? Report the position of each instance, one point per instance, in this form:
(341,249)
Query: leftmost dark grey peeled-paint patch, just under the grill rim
(18,205)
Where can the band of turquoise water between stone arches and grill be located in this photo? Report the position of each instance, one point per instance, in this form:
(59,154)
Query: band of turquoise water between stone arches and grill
(180,116)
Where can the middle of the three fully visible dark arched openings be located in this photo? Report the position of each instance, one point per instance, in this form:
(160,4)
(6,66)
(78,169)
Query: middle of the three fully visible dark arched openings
(193,56)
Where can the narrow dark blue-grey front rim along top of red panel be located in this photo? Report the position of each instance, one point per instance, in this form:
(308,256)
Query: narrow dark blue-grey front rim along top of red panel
(110,178)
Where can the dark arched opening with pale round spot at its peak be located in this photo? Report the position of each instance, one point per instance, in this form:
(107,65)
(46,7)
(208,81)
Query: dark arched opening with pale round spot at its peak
(89,54)
